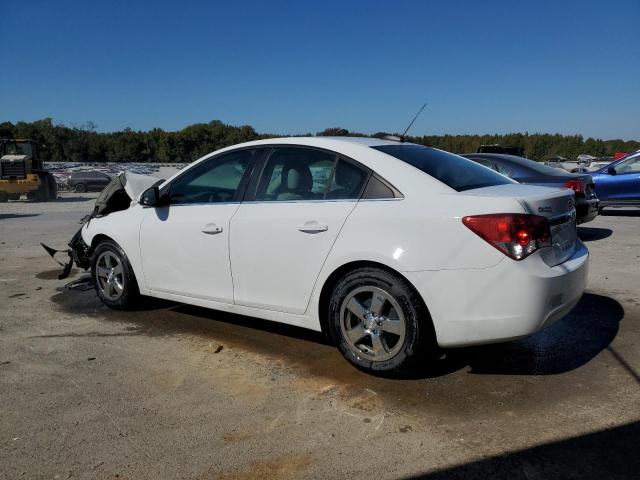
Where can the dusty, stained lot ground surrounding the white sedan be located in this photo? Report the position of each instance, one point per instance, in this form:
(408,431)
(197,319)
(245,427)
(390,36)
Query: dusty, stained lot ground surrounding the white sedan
(181,392)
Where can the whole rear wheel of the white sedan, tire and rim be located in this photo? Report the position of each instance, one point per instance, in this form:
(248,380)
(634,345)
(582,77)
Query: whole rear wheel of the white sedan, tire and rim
(378,322)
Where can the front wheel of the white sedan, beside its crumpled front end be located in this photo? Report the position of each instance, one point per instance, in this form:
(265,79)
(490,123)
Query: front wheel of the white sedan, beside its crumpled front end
(113,276)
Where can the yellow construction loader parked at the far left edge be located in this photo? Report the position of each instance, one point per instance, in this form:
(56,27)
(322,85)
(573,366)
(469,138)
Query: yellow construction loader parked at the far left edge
(22,171)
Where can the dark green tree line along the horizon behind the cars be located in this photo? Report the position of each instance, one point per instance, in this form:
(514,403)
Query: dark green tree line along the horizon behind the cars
(84,143)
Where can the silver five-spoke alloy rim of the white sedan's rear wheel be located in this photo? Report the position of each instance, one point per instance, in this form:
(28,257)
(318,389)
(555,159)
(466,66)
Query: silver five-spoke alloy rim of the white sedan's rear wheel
(372,323)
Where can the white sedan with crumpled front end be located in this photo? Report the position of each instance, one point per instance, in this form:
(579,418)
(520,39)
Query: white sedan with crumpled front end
(391,248)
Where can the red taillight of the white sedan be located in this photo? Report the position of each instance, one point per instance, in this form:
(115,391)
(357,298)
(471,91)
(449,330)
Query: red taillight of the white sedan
(516,235)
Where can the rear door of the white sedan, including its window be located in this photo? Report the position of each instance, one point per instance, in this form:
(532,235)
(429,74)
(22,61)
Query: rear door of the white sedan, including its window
(283,232)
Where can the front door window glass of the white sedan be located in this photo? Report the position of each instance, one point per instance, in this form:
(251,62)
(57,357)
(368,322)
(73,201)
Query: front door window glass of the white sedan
(215,180)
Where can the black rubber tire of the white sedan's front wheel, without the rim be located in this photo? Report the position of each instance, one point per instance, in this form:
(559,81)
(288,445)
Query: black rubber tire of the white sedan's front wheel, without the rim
(130,295)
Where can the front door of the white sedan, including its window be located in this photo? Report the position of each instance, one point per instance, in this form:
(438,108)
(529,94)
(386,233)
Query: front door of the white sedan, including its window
(185,245)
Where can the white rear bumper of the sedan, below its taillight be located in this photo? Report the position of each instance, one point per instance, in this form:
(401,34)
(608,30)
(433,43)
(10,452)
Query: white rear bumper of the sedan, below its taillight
(508,301)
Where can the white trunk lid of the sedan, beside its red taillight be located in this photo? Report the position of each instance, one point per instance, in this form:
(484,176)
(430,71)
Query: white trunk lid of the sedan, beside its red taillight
(556,205)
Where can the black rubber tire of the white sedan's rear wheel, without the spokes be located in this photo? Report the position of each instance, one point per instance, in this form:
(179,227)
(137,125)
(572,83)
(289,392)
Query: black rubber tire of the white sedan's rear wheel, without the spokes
(417,340)
